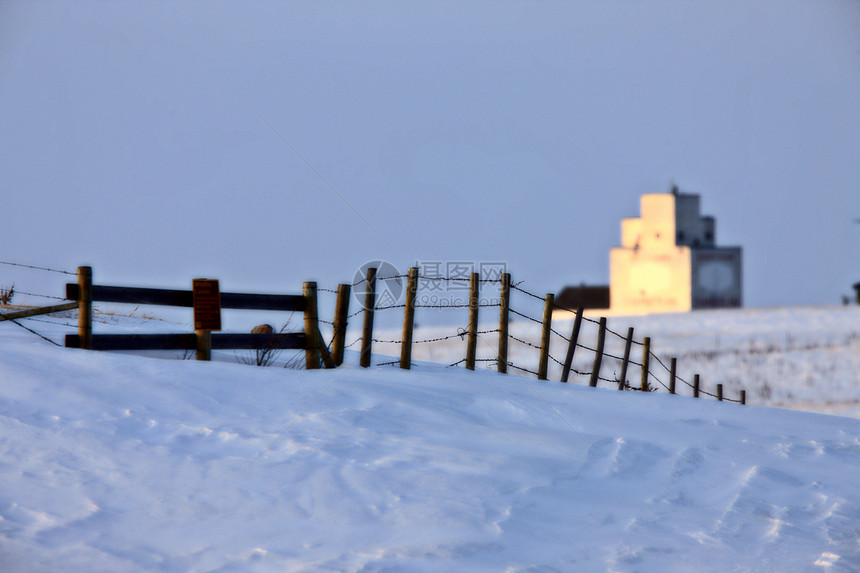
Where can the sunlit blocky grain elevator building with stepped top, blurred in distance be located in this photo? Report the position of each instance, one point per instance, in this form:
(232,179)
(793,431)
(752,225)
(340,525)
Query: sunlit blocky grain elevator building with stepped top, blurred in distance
(668,260)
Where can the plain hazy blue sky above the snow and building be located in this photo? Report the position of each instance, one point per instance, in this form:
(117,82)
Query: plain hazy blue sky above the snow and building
(270,143)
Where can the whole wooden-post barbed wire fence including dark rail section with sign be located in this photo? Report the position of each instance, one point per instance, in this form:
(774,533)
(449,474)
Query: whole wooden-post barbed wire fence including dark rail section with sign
(317,353)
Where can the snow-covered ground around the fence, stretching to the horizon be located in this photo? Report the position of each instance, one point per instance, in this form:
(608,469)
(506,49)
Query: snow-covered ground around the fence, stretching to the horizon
(116,463)
